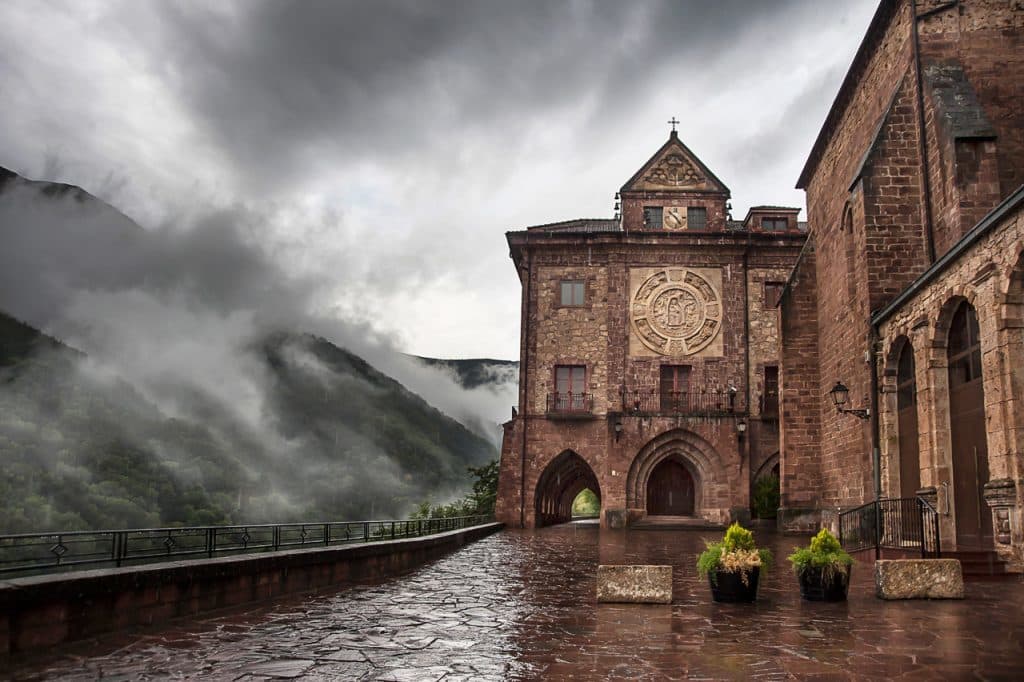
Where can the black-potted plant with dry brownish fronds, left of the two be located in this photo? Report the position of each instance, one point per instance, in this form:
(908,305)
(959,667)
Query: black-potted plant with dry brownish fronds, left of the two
(734,565)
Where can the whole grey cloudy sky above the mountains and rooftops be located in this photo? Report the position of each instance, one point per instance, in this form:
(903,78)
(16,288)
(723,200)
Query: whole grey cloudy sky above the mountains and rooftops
(387,147)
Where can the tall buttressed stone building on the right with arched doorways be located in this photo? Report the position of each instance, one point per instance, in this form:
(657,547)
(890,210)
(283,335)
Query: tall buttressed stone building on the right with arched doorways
(925,140)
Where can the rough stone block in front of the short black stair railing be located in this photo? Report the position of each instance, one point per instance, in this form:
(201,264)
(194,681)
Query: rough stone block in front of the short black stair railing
(919,579)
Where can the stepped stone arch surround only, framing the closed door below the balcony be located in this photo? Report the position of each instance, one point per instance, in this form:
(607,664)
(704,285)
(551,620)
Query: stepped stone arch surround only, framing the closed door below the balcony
(697,455)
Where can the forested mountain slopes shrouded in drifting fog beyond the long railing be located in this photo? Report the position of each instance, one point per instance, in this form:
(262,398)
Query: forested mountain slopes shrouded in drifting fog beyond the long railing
(192,334)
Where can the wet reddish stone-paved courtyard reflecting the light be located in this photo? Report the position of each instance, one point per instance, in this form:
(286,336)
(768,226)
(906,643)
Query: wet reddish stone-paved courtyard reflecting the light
(522,605)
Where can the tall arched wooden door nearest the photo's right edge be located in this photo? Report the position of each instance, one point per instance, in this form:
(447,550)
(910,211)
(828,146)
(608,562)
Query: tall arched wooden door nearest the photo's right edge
(967,431)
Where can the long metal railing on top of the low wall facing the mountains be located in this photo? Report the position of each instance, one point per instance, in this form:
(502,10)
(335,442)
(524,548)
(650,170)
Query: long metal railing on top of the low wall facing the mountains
(50,552)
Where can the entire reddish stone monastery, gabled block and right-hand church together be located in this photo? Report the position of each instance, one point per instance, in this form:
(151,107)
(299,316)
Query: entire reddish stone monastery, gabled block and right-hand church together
(671,356)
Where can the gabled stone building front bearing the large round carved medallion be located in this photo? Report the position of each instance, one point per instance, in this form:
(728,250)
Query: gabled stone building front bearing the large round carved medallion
(650,353)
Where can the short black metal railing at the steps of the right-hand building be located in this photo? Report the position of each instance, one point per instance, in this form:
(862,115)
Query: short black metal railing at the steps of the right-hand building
(908,525)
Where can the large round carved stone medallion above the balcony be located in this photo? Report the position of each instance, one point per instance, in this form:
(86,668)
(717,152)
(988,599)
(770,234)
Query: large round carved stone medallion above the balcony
(676,312)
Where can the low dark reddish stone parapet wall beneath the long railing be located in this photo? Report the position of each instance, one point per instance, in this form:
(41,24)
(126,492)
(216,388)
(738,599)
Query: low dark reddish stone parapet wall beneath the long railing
(49,611)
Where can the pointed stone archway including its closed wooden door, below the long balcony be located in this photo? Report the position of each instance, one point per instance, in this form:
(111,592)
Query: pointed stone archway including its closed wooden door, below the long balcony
(677,474)
